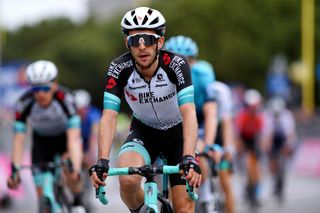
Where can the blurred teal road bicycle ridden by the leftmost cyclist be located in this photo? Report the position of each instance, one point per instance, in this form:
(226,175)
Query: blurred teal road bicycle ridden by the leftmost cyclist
(48,175)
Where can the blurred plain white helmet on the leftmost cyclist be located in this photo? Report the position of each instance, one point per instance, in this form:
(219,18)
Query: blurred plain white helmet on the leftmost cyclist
(41,72)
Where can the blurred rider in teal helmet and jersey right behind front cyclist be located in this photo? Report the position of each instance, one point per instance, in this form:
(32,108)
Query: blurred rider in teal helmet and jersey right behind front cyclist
(207,106)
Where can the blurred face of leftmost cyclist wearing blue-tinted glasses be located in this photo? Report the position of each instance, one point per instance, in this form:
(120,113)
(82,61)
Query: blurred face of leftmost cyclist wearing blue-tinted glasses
(44,93)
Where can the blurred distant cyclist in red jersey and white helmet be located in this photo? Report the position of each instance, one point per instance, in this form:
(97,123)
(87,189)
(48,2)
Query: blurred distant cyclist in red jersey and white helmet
(249,124)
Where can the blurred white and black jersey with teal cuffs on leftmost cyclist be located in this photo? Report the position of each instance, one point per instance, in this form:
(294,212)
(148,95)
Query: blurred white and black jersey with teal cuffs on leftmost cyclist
(47,121)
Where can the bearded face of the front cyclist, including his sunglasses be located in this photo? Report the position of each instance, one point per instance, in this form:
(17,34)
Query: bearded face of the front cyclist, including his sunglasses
(143,45)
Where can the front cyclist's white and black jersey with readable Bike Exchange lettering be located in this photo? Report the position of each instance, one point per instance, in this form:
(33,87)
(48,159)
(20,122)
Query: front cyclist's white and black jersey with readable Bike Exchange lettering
(155,102)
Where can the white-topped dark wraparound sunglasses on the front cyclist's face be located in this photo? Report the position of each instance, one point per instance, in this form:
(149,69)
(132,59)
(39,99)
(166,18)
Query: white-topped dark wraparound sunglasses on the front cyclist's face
(147,39)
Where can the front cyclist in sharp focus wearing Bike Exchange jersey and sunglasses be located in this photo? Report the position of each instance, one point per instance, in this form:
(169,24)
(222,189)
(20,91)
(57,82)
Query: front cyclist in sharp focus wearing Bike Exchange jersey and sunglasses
(157,86)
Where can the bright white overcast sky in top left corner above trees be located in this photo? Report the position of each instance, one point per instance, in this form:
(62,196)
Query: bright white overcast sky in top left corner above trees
(15,13)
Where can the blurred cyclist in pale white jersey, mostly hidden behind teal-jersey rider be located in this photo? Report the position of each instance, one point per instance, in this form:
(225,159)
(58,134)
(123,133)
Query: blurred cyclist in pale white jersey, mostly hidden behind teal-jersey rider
(225,137)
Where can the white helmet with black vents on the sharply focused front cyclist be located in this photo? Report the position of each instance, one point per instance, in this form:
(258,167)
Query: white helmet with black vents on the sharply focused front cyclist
(143,18)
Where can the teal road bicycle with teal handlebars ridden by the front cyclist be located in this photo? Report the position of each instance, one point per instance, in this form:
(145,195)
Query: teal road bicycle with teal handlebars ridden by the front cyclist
(151,193)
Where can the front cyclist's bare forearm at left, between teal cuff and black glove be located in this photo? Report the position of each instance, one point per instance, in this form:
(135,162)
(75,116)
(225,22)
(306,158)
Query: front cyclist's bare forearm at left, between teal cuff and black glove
(106,133)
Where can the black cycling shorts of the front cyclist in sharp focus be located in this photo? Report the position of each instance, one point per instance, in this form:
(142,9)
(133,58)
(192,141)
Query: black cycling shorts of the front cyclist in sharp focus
(168,142)
